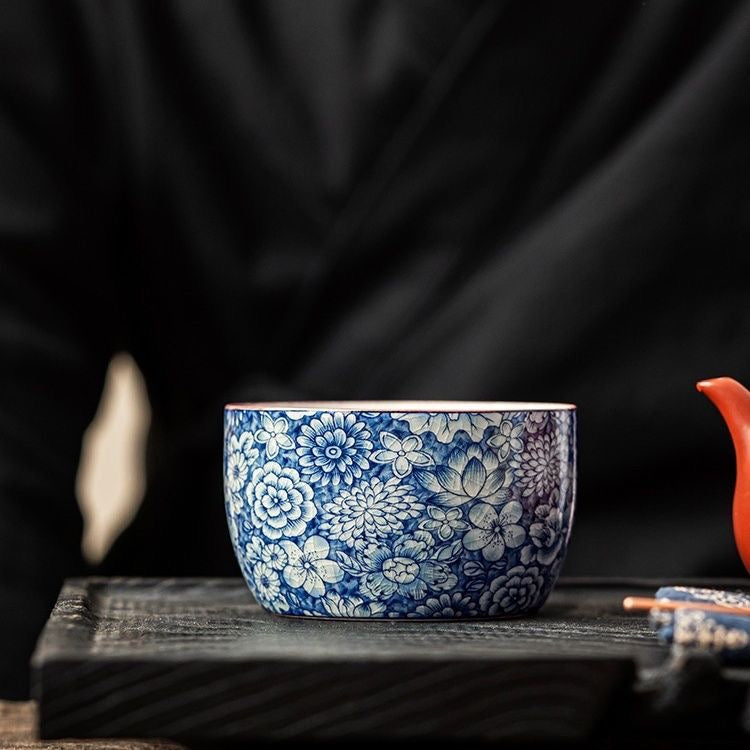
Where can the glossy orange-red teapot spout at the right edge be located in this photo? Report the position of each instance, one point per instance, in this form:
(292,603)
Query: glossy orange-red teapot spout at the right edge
(733,401)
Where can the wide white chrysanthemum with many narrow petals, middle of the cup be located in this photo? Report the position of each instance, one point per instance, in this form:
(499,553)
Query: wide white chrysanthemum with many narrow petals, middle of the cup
(373,508)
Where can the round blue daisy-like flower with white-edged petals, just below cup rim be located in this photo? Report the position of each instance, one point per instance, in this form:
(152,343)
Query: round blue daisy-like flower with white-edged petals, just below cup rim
(334,448)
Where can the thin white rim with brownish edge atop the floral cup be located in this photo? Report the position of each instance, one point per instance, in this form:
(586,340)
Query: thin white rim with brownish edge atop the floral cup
(404,407)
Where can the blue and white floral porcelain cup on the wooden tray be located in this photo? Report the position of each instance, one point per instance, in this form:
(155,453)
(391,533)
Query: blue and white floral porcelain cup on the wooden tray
(400,509)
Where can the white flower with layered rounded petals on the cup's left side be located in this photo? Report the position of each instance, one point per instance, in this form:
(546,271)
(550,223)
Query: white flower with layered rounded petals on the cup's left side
(281,503)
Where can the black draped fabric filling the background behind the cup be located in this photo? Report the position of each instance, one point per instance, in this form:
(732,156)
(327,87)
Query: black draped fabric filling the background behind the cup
(290,199)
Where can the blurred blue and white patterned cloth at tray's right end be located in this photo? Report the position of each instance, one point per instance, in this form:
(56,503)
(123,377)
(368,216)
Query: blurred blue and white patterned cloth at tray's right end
(727,636)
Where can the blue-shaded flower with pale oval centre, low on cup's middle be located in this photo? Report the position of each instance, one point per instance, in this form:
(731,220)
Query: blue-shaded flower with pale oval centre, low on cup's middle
(405,569)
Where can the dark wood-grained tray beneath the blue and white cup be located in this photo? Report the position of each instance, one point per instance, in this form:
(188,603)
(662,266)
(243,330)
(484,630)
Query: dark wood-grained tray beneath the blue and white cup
(197,660)
